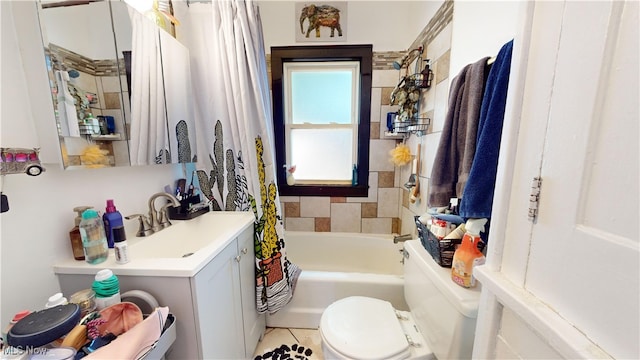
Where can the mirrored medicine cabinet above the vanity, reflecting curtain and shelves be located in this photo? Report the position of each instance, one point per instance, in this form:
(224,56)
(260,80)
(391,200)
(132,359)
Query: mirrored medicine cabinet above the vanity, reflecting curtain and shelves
(120,86)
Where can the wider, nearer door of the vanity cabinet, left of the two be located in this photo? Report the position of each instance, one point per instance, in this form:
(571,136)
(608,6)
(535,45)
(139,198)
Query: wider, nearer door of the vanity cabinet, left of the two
(218,310)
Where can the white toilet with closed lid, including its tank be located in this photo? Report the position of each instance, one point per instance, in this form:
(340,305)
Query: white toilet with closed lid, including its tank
(440,323)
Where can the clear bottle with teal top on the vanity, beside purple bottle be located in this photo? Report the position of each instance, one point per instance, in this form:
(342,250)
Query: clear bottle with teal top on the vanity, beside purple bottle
(94,240)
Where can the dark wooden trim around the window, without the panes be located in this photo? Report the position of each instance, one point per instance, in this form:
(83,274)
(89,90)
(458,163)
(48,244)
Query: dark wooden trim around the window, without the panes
(361,53)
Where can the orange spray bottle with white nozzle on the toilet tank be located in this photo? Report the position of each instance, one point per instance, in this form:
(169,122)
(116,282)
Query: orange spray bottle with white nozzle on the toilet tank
(467,255)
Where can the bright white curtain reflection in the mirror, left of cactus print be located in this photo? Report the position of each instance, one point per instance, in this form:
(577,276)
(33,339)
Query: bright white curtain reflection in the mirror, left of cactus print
(149,142)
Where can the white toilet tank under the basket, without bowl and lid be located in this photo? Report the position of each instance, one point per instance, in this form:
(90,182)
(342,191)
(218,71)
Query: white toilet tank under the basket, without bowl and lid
(444,311)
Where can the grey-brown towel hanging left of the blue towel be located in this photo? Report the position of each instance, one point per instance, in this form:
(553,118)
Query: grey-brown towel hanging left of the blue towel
(456,149)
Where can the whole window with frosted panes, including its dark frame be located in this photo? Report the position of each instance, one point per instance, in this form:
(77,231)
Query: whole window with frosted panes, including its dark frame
(322,102)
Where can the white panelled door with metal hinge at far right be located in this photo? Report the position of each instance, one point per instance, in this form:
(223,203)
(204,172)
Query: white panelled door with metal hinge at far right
(577,264)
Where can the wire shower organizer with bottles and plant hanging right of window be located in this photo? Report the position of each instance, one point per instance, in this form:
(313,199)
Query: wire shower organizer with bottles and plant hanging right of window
(407,95)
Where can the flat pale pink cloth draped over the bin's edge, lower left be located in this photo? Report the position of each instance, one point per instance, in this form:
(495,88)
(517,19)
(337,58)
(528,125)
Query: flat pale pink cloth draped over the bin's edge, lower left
(137,341)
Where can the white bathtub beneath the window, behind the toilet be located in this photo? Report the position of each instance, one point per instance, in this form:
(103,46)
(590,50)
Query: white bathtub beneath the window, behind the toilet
(337,265)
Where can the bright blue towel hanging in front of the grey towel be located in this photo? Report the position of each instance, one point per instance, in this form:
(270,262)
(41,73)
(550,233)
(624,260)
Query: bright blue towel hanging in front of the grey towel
(477,199)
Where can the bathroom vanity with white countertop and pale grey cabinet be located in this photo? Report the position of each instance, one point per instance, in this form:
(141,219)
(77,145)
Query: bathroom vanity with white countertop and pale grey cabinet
(203,269)
